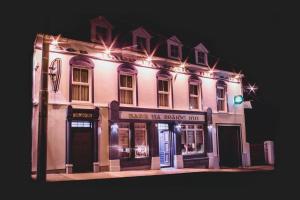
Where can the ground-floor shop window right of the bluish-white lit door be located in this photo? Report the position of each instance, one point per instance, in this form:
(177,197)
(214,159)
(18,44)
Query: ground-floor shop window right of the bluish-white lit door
(192,139)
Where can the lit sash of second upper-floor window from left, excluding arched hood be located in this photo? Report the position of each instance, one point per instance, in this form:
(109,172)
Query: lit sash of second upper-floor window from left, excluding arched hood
(126,89)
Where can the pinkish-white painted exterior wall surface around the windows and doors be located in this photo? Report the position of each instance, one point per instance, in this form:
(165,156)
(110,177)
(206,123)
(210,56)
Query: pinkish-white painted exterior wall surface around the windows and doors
(106,90)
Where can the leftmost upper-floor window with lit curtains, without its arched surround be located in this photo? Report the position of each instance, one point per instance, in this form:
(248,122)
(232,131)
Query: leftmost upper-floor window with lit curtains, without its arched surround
(80,84)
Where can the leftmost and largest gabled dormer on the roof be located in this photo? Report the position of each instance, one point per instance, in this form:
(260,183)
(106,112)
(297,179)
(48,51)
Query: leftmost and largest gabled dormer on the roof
(101,30)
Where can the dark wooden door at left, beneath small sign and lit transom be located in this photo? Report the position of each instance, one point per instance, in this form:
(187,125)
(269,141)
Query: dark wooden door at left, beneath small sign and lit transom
(82,149)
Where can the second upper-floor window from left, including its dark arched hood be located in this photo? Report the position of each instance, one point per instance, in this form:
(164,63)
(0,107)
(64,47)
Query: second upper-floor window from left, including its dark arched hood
(127,84)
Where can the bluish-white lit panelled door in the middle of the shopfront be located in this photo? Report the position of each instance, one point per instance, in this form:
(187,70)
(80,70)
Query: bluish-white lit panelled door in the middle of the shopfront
(165,141)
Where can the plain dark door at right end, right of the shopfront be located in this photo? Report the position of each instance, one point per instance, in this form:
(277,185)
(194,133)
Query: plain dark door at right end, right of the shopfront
(229,146)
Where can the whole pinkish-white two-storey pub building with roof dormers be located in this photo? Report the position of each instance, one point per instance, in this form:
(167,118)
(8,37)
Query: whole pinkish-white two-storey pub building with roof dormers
(119,106)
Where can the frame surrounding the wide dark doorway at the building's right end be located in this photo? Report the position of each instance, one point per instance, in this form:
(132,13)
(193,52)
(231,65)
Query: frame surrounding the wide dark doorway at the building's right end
(240,140)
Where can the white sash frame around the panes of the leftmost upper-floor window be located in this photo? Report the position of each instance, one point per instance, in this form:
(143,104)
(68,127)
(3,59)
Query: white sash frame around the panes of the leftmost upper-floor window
(82,83)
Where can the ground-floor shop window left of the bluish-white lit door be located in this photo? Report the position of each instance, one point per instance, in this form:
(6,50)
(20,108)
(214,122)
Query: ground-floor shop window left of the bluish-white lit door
(133,141)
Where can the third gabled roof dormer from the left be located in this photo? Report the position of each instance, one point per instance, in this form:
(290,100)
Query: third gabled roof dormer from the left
(174,46)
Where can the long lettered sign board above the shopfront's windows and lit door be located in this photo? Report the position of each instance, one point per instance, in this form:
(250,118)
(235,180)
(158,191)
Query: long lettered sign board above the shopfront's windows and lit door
(162,116)
